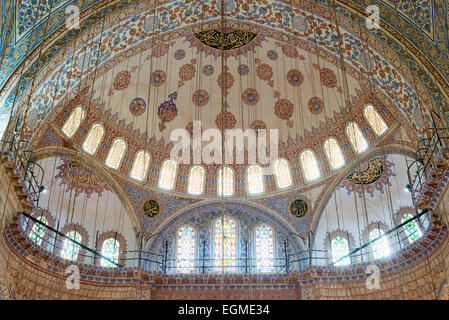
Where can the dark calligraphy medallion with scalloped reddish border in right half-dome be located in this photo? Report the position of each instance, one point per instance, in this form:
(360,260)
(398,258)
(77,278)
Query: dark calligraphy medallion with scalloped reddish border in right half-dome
(373,176)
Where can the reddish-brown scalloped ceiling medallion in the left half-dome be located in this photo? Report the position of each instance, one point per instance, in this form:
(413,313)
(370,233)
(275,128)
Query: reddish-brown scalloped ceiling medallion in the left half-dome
(77,177)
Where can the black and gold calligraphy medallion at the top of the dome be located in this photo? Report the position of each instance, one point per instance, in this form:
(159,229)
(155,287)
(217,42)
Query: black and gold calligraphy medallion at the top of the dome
(233,41)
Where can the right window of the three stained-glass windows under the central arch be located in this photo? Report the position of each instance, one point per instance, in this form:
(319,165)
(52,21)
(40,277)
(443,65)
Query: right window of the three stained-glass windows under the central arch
(264,249)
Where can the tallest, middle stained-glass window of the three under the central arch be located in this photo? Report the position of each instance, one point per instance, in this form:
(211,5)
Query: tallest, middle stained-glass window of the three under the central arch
(225,251)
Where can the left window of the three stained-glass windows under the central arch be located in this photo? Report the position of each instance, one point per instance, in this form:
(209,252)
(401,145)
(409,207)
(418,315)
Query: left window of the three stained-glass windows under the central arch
(186,249)
